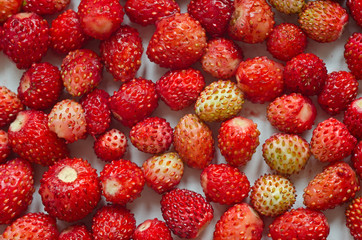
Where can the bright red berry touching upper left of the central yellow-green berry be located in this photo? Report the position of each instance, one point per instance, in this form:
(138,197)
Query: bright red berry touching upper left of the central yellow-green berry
(180,88)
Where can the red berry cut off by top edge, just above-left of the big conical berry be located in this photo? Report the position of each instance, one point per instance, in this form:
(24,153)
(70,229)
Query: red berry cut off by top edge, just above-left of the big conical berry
(149,12)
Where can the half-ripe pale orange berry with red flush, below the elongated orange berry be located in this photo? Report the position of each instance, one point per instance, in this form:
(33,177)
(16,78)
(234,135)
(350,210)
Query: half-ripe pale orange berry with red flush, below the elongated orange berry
(163,172)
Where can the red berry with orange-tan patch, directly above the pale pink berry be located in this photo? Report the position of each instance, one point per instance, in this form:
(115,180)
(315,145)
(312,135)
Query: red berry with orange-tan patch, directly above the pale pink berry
(81,71)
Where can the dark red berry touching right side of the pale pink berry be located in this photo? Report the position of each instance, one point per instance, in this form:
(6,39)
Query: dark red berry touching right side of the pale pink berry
(97,111)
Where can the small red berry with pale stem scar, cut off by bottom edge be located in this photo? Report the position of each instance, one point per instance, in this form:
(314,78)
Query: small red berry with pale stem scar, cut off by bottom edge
(152,230)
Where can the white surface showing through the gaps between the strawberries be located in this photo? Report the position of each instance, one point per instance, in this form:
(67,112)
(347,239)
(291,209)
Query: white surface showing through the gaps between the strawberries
(147,206)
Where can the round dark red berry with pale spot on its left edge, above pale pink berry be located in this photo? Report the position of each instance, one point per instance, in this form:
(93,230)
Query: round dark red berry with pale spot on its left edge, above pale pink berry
(40,86)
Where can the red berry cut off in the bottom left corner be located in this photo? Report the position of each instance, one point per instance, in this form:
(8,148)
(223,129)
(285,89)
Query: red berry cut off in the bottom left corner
(32,226)
